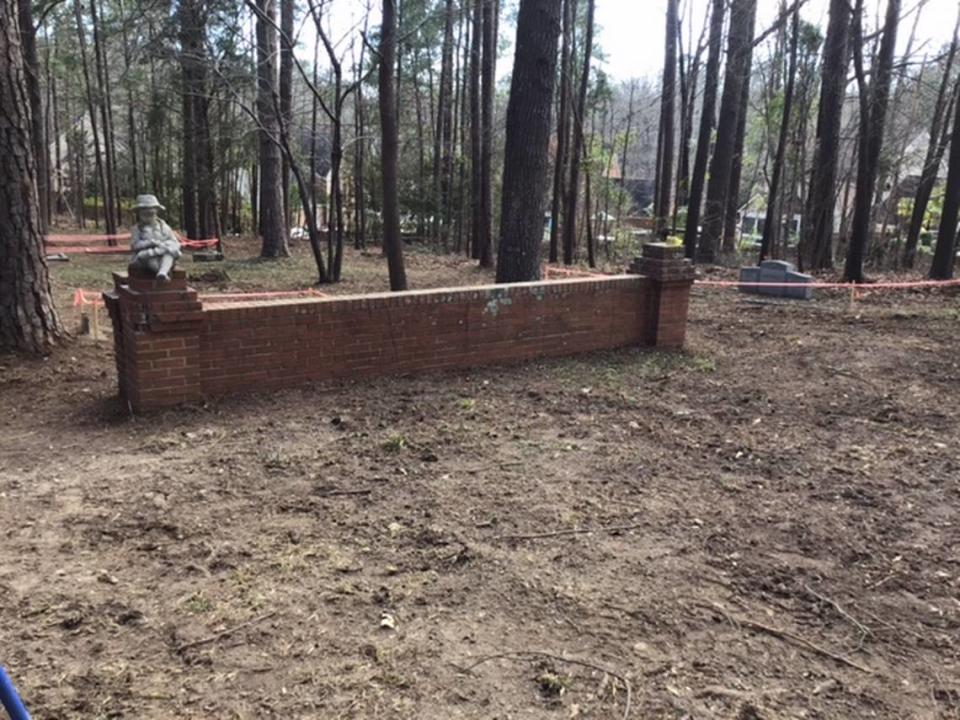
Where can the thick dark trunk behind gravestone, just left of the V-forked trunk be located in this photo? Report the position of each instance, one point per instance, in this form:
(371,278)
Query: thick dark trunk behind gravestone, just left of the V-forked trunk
(816,252)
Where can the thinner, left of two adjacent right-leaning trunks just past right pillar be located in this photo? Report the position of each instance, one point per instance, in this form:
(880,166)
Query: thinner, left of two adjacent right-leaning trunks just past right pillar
(698,178)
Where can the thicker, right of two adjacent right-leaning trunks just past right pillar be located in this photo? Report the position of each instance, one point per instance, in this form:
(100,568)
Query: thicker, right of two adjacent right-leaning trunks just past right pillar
(739,50)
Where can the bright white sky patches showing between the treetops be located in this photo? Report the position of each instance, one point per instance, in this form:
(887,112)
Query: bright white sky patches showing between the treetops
(630,32)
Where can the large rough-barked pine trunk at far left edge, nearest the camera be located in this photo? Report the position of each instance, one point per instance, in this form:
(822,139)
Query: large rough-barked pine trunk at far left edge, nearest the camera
(28,319)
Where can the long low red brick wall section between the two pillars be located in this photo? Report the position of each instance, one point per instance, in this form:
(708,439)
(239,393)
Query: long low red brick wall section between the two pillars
(282,343)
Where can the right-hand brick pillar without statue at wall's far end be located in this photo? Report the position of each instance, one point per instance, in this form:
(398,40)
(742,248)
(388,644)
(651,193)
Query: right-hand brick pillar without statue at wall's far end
(670,277)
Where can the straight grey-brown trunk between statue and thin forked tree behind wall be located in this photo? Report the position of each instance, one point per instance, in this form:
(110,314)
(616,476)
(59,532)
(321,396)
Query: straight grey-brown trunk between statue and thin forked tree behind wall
(271,215)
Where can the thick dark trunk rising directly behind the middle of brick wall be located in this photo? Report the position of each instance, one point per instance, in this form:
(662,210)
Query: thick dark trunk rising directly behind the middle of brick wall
(527,138)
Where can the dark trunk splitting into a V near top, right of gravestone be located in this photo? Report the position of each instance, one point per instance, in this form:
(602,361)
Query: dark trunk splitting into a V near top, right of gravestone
(873,112)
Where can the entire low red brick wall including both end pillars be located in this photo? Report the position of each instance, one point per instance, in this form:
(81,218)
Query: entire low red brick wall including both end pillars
(170,349)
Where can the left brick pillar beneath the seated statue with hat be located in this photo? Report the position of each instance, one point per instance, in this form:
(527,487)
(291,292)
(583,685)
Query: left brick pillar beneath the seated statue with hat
(156,331)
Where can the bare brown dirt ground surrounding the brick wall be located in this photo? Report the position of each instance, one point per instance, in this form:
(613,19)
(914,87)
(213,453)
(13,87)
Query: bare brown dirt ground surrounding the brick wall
(764,526)
